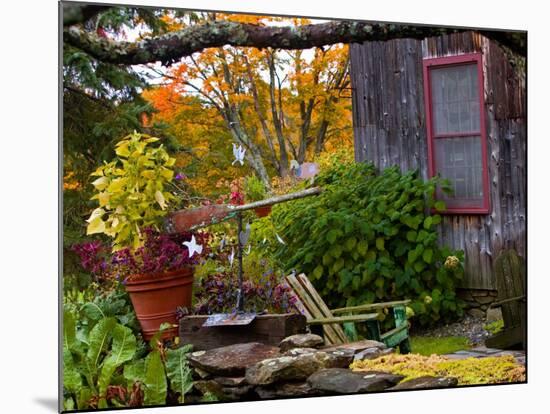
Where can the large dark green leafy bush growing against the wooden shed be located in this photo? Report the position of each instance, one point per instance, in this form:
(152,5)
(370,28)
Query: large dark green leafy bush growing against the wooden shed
(369,237)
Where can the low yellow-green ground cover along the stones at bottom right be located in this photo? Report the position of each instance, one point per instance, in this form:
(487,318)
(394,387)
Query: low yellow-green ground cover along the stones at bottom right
(470,371)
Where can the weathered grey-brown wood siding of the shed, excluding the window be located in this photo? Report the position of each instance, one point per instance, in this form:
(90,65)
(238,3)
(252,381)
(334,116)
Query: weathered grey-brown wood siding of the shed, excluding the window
(389,129)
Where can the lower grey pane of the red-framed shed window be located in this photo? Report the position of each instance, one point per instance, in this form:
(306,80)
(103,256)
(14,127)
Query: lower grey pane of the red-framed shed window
(459,160)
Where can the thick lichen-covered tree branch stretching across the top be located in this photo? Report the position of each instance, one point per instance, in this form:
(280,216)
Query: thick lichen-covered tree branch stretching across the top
(172,47)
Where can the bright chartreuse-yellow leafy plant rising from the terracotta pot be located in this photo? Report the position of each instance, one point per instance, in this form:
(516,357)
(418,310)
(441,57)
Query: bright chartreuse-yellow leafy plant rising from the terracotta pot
(132,190)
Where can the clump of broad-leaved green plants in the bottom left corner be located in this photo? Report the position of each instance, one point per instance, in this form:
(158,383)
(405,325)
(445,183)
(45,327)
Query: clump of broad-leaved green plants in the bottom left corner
(107,364)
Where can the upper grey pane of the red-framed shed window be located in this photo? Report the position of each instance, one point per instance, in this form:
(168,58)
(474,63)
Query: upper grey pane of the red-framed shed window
(455,99)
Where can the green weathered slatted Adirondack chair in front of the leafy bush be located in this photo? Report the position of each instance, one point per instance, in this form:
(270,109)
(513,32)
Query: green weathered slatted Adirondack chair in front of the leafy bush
(317,313)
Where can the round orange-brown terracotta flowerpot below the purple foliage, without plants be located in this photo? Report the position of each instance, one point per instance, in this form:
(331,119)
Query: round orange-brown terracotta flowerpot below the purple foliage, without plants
(156,296)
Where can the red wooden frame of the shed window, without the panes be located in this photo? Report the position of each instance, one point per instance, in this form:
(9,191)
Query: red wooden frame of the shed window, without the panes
(434,63)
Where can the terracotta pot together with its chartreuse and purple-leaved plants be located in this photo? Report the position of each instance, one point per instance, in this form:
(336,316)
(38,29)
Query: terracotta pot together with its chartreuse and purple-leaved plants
(133,197)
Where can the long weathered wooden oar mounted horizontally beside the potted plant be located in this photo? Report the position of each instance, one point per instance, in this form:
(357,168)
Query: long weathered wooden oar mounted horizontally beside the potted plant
(194,218)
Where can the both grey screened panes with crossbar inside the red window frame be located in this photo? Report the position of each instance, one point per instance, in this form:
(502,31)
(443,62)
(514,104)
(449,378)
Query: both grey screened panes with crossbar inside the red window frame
(456,136)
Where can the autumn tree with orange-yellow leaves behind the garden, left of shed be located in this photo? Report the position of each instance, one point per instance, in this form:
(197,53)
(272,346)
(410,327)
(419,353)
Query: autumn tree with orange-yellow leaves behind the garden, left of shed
(278,105)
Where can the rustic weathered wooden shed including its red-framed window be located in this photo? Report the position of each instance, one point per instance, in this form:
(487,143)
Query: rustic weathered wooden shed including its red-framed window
(453,105)
